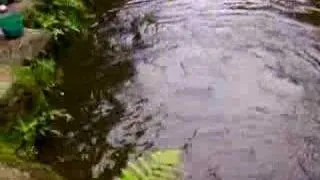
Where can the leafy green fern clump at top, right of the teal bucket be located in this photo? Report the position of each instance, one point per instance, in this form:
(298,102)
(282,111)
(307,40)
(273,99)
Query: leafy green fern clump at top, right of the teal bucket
(60,17)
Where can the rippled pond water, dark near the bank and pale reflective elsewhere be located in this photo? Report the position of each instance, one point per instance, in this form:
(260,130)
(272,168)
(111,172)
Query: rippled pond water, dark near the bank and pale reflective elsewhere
(234,82)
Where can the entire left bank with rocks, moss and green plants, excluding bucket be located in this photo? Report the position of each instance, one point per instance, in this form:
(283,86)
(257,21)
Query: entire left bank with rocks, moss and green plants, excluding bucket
(28,76)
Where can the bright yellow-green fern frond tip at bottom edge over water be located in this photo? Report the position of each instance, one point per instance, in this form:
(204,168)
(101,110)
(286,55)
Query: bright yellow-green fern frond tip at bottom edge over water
(160,165)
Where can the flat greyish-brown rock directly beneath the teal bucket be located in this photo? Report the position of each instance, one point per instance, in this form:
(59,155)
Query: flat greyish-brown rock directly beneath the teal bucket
(27,47)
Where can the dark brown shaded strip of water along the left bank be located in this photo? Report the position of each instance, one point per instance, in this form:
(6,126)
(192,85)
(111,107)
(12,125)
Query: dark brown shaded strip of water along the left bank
(93,73)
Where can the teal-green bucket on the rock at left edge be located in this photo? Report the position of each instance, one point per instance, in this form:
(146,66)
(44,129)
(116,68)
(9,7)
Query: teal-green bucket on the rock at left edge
(12,24)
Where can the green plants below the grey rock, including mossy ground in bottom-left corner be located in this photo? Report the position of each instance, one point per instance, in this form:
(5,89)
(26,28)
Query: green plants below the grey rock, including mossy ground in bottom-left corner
(26,116)
